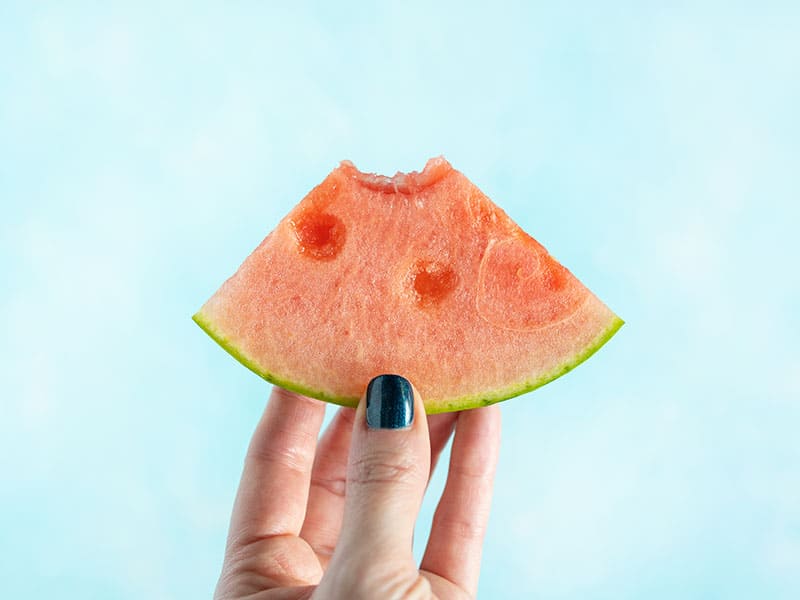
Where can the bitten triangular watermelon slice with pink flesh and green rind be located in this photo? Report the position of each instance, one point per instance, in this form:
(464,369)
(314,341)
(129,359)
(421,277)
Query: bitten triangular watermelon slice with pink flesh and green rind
(418,274)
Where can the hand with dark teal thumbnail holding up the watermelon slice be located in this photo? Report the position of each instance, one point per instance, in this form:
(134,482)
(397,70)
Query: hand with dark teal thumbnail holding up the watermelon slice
(334,518)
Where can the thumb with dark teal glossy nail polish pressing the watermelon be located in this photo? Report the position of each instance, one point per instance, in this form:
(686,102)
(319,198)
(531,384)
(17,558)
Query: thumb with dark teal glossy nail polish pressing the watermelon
(387,474)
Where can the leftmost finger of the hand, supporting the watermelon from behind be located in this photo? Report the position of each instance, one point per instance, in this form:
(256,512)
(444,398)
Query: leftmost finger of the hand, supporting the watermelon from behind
(273,490)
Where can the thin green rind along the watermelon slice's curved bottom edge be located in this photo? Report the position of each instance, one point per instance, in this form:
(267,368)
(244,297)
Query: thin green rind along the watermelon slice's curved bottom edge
(432,406)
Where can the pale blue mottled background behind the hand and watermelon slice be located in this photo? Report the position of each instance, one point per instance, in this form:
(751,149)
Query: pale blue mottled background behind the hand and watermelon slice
(145,150)
